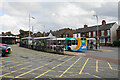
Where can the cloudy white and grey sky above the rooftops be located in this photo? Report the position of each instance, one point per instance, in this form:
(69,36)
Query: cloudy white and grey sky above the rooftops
(55,15)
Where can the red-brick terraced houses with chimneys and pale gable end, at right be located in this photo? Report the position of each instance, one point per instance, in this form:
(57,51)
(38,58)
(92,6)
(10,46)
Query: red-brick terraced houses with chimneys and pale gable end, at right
(107,32)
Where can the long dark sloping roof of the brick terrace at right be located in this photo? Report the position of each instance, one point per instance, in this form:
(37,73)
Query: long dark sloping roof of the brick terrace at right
(94,28)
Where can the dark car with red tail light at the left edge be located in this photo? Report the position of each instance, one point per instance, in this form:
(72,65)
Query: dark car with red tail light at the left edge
(5,50)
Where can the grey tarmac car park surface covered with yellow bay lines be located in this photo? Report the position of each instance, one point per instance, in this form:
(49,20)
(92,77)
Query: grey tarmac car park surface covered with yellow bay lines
(31,64)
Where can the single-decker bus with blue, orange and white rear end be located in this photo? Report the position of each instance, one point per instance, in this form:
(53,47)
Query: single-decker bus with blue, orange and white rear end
(70,44)
